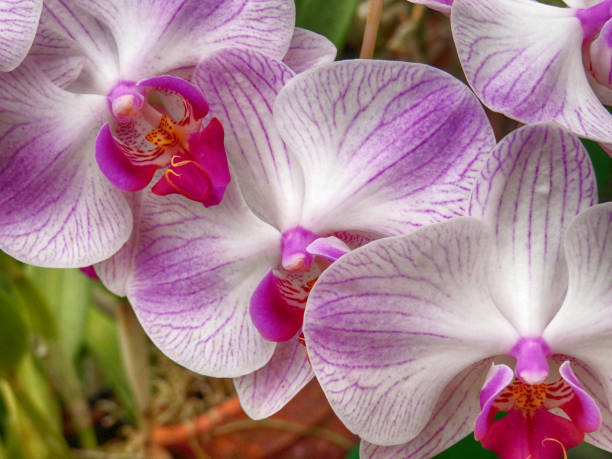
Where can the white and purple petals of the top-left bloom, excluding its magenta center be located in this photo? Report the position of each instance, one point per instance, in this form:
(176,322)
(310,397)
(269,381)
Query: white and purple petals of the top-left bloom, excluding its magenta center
(57,208)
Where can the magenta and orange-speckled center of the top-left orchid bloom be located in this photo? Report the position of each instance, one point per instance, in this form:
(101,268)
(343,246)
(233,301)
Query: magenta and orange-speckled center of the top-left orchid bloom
(157,123)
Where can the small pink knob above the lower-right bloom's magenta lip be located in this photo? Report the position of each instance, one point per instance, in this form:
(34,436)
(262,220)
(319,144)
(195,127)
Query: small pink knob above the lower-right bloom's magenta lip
(530,355)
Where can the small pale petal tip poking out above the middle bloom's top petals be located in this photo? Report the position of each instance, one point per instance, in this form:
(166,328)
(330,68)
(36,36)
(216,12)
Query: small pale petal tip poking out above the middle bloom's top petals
(308,49)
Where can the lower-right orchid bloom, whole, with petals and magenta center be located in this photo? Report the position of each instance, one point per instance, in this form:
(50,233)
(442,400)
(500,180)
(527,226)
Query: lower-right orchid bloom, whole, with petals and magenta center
(419,339)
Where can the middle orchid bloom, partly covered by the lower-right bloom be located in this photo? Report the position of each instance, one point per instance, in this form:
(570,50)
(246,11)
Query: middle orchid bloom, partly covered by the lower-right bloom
(322,162)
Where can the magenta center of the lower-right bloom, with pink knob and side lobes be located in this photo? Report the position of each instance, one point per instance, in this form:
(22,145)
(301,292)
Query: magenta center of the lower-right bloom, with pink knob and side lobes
(528,428)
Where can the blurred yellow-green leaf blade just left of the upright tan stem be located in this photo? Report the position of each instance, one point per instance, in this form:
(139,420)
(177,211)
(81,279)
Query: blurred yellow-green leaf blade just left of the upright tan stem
(102,341)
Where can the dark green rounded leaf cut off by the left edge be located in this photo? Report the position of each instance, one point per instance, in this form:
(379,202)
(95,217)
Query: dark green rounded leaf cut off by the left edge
(14,334)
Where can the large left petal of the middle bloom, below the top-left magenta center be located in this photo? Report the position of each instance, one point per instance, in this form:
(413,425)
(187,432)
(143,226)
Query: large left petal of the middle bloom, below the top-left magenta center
(195,270)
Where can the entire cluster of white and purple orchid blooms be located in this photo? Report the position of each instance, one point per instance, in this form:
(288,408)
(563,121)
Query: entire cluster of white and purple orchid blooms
(274,216)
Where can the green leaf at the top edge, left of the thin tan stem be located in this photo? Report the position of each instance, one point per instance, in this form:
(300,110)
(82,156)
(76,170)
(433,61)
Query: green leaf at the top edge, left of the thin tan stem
(330,18)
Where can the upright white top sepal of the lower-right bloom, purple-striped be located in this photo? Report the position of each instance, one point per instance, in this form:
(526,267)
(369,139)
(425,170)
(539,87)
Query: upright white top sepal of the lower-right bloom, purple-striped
(536,180)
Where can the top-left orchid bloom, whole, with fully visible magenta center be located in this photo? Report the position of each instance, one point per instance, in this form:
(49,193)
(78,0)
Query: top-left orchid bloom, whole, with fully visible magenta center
(101,103)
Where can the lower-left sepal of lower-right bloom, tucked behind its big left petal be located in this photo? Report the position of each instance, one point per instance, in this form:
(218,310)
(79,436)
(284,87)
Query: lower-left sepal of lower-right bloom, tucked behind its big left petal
(453,419)
